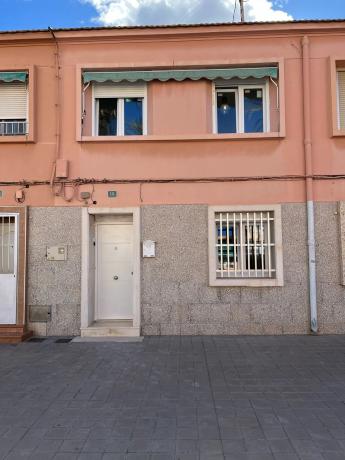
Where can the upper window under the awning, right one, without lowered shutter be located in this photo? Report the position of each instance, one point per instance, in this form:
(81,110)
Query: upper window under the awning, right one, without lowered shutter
(241,108)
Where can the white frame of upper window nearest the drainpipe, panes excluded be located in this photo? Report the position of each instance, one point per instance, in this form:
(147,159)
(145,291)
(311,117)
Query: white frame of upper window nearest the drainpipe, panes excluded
(239,90)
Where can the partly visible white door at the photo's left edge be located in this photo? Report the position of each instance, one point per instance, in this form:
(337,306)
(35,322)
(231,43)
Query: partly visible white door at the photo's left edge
(8,268)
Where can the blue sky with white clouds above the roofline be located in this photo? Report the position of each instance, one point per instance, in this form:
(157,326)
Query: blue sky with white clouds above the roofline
(36,14)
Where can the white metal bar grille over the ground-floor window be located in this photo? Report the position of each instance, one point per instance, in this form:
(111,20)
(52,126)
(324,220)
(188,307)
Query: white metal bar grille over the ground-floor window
(245,246)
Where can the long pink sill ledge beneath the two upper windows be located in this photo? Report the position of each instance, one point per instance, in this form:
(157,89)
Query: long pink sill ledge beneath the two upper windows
(183,137)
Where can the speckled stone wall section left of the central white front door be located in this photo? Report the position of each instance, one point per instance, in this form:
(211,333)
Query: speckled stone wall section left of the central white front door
(55,284)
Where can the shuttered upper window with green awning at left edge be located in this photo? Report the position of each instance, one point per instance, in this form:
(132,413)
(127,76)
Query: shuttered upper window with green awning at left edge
(13,104)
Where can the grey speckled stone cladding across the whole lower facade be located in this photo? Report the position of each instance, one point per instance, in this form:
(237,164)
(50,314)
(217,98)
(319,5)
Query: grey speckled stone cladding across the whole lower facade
(175,295)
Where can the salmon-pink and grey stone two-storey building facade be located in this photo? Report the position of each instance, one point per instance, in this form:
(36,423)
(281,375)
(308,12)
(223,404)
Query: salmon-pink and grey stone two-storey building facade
(173,180)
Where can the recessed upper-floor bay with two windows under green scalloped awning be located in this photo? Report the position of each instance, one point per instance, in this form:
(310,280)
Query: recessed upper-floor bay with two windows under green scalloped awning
(114,102)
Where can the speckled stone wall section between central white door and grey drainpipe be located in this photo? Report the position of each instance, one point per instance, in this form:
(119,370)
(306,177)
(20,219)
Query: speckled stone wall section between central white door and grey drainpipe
(176,298)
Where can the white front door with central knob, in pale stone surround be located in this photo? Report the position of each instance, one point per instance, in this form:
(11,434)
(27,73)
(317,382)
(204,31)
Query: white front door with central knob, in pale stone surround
(114,271)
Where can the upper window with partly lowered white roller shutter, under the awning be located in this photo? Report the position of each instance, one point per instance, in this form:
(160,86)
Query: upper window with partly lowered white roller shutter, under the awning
(119,109)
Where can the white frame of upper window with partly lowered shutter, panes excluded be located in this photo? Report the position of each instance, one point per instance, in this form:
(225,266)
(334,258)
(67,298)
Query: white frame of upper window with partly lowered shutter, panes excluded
(120,109)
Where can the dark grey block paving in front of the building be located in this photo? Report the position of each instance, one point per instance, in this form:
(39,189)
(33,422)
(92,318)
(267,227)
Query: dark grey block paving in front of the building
(205,398)
